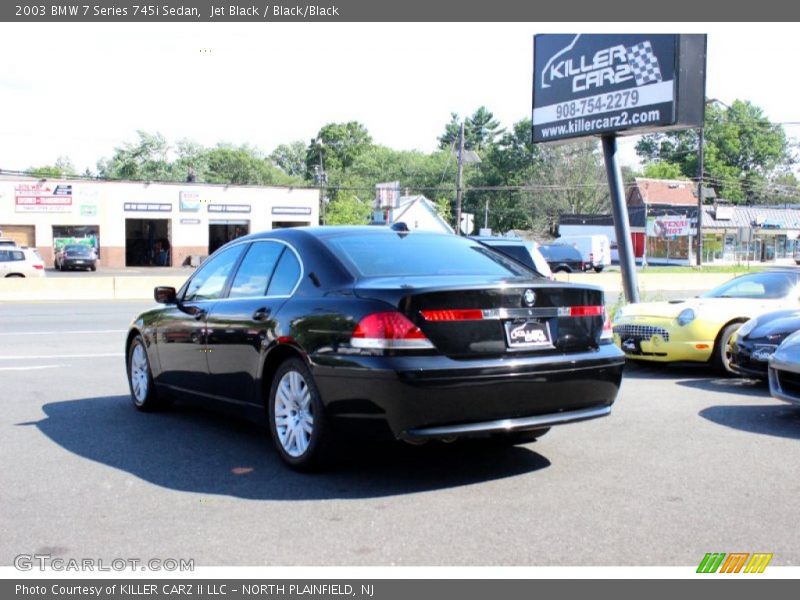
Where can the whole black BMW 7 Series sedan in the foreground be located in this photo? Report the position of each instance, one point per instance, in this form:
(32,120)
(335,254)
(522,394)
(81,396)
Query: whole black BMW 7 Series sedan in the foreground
(331,331)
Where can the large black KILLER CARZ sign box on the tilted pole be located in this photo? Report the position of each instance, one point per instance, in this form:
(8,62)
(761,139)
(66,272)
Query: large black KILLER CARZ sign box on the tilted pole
(590,84)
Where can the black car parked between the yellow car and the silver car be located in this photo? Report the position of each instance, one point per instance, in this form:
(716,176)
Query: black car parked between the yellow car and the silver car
(757,340)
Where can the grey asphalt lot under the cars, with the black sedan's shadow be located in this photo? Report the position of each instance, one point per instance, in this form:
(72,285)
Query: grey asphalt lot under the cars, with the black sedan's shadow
(686,464)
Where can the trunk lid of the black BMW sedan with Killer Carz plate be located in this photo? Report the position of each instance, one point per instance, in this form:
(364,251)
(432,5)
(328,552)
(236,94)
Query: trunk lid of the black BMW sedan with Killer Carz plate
(471,316)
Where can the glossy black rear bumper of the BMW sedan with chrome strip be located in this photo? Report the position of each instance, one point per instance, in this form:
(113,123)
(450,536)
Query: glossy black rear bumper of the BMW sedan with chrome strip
(435,396)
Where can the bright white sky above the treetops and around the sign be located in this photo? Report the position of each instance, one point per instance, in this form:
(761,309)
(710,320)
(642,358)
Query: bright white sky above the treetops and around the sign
(80,90)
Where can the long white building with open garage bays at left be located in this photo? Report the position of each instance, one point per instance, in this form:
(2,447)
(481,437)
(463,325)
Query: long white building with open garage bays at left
(145,224)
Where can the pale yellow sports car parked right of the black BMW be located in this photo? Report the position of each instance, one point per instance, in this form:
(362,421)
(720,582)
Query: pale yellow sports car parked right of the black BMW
(700,329)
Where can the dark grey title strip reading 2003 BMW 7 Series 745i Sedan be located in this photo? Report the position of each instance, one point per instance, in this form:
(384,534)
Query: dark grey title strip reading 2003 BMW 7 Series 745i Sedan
(194,11)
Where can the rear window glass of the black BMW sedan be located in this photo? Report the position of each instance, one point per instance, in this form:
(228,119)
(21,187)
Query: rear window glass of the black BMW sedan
(419,254)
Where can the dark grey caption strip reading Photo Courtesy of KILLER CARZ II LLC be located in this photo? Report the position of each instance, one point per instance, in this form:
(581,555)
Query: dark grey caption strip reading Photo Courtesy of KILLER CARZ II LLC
(732,588)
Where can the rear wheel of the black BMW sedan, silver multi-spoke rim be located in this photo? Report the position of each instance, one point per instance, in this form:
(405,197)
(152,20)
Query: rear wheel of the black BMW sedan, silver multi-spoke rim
(297,421)
